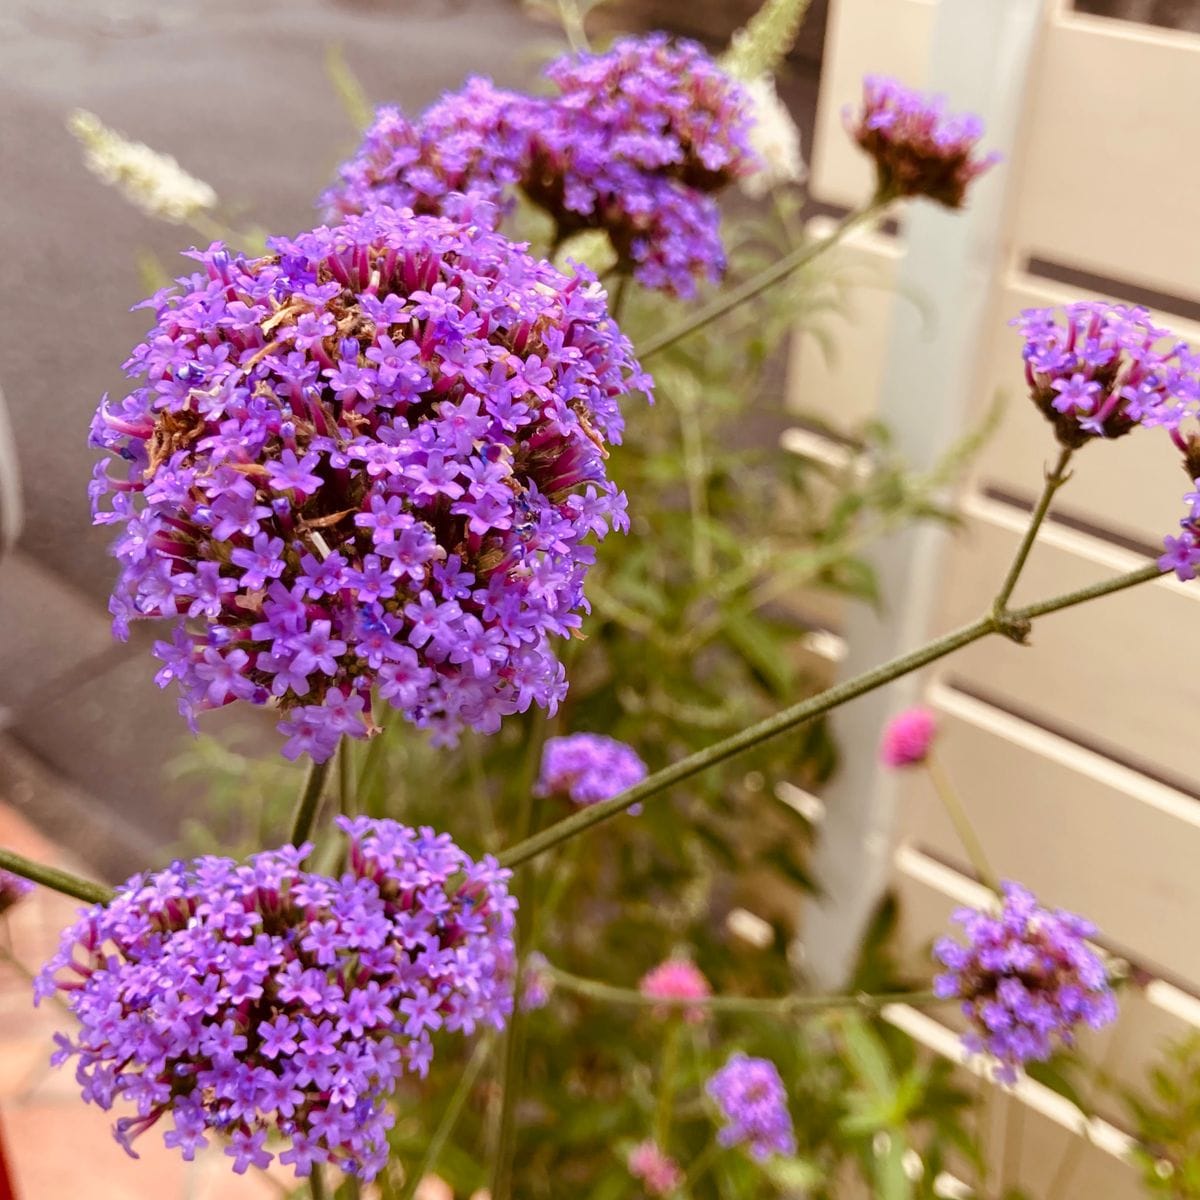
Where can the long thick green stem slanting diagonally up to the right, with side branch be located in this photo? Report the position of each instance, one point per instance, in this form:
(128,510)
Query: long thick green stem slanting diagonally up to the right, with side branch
(1013,625)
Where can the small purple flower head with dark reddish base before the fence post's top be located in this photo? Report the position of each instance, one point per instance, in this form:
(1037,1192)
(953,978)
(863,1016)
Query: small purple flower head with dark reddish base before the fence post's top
(919,148)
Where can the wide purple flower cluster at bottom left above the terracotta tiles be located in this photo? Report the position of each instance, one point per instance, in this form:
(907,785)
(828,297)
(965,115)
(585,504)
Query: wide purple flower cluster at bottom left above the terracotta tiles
(261,1000)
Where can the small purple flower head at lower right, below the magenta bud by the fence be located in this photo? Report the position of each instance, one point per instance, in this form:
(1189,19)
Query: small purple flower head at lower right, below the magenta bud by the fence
(1028,979)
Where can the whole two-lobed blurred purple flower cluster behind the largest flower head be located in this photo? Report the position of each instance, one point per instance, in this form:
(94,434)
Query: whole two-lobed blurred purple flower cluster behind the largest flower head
(635,143)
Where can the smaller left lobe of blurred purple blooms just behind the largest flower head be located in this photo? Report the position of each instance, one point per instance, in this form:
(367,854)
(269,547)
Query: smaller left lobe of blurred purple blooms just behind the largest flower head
(466,152)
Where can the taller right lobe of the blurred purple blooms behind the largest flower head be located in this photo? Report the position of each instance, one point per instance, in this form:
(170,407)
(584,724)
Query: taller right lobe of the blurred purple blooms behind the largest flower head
(635,145)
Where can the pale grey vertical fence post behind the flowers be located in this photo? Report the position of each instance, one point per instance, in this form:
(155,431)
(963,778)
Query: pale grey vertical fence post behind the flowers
(981,59)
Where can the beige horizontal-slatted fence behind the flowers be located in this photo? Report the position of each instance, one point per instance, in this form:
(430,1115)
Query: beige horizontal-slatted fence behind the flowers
(1077,755)
